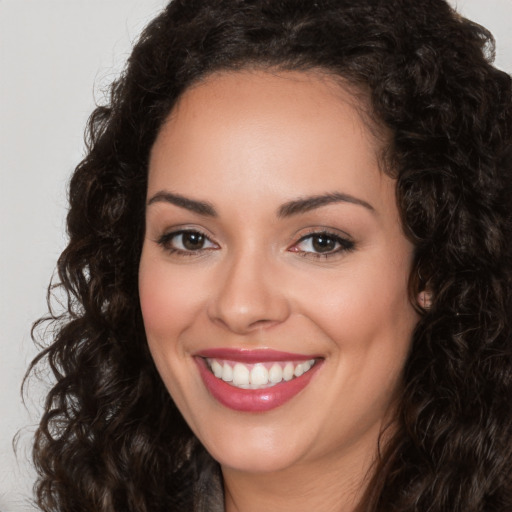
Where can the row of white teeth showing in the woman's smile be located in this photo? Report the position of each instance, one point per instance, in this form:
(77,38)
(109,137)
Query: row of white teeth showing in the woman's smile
(259,375)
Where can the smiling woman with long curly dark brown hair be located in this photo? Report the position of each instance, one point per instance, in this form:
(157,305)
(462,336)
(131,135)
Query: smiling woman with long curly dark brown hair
(289,269)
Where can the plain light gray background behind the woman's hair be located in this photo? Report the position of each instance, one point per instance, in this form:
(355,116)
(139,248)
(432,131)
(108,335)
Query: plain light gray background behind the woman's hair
(56,56)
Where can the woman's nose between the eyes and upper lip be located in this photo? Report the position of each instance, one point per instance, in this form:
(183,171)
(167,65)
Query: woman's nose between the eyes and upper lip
(248,295)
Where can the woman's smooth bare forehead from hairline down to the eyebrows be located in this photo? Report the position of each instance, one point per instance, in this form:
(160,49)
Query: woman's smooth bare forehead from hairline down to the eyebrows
(256,130)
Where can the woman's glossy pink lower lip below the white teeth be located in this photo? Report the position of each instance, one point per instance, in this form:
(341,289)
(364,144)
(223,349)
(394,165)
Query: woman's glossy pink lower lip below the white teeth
(253,400)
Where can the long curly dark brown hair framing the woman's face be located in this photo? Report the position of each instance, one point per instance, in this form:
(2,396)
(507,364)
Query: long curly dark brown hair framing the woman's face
(111,438)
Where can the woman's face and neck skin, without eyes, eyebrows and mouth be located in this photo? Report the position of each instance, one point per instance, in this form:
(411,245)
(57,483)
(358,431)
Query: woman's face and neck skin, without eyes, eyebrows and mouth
(247,143)
